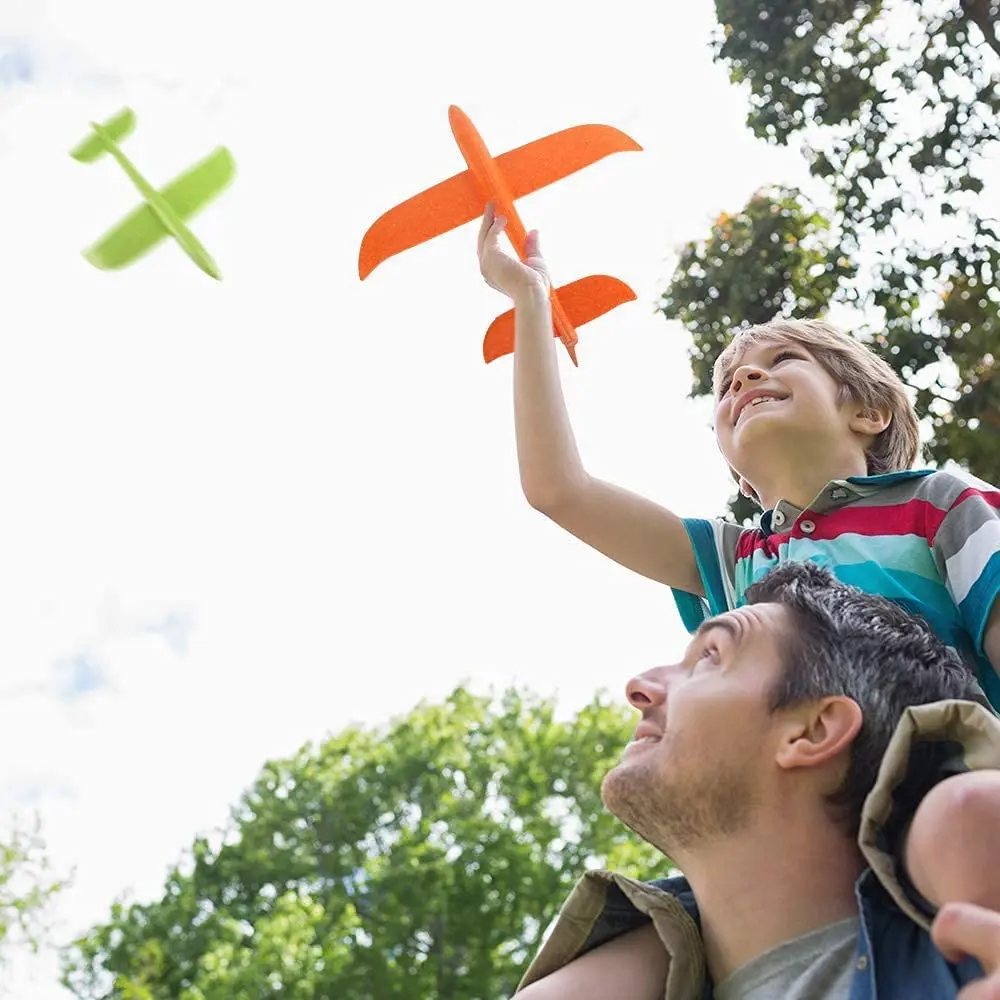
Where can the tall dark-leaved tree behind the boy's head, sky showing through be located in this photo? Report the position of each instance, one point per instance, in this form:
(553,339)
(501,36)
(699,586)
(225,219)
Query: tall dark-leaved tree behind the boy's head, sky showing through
(898,111)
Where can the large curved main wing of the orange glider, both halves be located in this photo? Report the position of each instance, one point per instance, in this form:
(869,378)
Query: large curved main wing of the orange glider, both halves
(459,200)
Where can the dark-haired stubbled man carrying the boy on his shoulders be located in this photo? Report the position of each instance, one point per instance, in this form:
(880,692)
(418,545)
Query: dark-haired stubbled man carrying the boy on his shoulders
(779,765)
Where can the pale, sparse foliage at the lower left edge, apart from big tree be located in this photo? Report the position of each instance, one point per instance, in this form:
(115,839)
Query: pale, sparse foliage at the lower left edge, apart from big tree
(27,889)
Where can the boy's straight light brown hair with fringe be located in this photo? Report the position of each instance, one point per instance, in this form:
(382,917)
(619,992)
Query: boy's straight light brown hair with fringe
(862,376)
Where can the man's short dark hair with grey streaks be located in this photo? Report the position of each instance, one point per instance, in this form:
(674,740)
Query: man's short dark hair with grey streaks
(846,642)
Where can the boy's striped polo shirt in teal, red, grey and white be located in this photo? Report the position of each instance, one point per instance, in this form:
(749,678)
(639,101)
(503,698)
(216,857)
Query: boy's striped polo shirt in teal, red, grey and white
(928,540)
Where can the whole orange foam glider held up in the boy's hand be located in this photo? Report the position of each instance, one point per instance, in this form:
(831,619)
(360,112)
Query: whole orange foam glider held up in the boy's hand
(502,180)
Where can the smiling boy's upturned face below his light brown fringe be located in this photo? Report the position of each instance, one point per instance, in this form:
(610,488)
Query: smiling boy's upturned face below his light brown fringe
(776,406)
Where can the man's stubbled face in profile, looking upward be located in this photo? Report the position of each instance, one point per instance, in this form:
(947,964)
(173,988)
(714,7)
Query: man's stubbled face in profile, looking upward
(706,742)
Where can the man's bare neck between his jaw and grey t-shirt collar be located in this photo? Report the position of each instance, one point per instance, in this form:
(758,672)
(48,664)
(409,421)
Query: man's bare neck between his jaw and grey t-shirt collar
(764,887)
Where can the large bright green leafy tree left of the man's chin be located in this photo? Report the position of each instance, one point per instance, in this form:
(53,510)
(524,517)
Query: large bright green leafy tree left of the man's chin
(422,860)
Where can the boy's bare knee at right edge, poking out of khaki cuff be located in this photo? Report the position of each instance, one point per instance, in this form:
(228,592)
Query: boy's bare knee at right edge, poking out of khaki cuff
(954,841)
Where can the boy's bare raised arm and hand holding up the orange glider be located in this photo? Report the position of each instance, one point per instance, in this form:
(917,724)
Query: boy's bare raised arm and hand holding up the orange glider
(635,532)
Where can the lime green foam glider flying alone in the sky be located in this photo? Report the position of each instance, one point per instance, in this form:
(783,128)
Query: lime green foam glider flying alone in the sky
(162,213)
